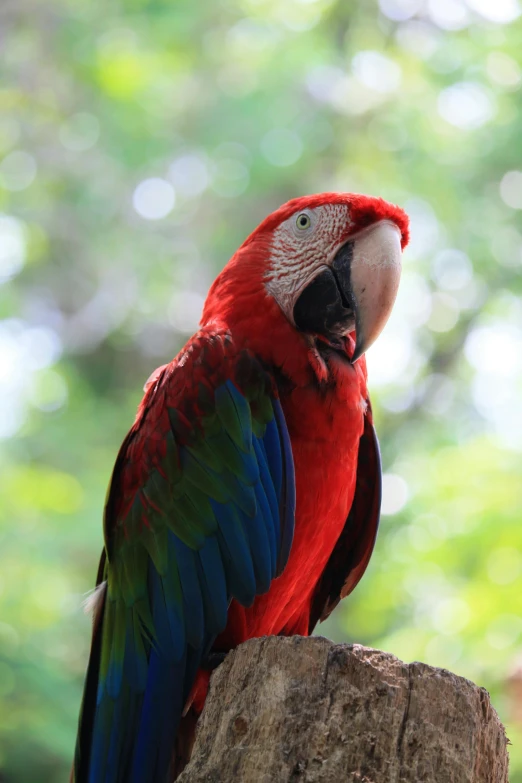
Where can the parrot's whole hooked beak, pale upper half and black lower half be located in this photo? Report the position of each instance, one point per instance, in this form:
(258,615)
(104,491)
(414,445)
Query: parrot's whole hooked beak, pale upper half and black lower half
(355,291)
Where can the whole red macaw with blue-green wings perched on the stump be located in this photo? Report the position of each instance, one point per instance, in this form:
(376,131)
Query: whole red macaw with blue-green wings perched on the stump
(245,499)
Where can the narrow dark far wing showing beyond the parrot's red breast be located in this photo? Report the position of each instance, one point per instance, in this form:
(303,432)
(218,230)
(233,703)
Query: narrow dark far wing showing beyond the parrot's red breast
(354,548)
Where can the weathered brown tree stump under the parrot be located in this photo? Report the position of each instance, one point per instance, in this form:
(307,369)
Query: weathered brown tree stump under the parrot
(305,709)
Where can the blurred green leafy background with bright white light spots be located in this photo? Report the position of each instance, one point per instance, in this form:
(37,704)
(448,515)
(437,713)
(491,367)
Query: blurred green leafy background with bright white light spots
(140,142)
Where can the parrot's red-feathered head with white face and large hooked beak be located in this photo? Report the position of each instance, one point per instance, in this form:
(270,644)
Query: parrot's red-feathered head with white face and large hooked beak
(325,266)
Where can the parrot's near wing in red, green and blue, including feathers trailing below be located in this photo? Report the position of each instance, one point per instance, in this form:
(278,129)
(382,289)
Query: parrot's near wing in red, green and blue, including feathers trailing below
(200,511)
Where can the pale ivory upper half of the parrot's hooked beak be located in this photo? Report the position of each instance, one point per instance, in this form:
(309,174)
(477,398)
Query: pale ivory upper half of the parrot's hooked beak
(375,272)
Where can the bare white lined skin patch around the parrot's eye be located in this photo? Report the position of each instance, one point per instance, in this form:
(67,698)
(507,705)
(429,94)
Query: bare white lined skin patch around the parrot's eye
(297,253)
